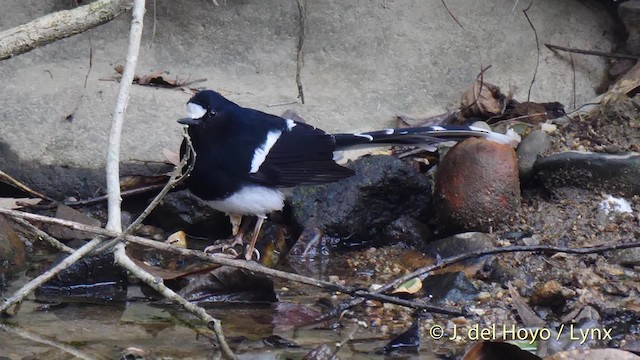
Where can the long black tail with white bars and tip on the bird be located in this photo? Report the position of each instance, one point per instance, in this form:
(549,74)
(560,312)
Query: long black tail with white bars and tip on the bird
(426,136)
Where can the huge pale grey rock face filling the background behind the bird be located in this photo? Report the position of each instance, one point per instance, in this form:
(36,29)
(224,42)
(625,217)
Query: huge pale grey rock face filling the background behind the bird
(363,64)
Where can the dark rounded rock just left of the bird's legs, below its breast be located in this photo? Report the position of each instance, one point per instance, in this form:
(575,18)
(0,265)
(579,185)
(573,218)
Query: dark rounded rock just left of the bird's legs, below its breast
(181,210)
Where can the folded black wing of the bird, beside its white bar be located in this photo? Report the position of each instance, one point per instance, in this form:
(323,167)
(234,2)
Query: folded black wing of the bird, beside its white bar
(302,155)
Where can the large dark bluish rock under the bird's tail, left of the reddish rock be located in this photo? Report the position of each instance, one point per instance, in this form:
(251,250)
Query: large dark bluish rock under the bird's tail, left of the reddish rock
(358,209)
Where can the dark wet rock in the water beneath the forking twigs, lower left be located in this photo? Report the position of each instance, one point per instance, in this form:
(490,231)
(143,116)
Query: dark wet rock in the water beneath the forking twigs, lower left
(95,279)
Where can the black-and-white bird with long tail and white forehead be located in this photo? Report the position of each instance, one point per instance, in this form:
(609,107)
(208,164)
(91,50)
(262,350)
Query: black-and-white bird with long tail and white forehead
(244,157)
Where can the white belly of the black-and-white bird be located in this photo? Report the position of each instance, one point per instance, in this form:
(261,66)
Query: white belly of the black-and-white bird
(251,200)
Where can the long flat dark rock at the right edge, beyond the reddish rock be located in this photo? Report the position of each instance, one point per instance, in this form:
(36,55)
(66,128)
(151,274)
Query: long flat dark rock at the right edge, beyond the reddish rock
(617,174)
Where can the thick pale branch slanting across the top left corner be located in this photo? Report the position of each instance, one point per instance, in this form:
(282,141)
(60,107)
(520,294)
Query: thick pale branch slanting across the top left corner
(59,25)
